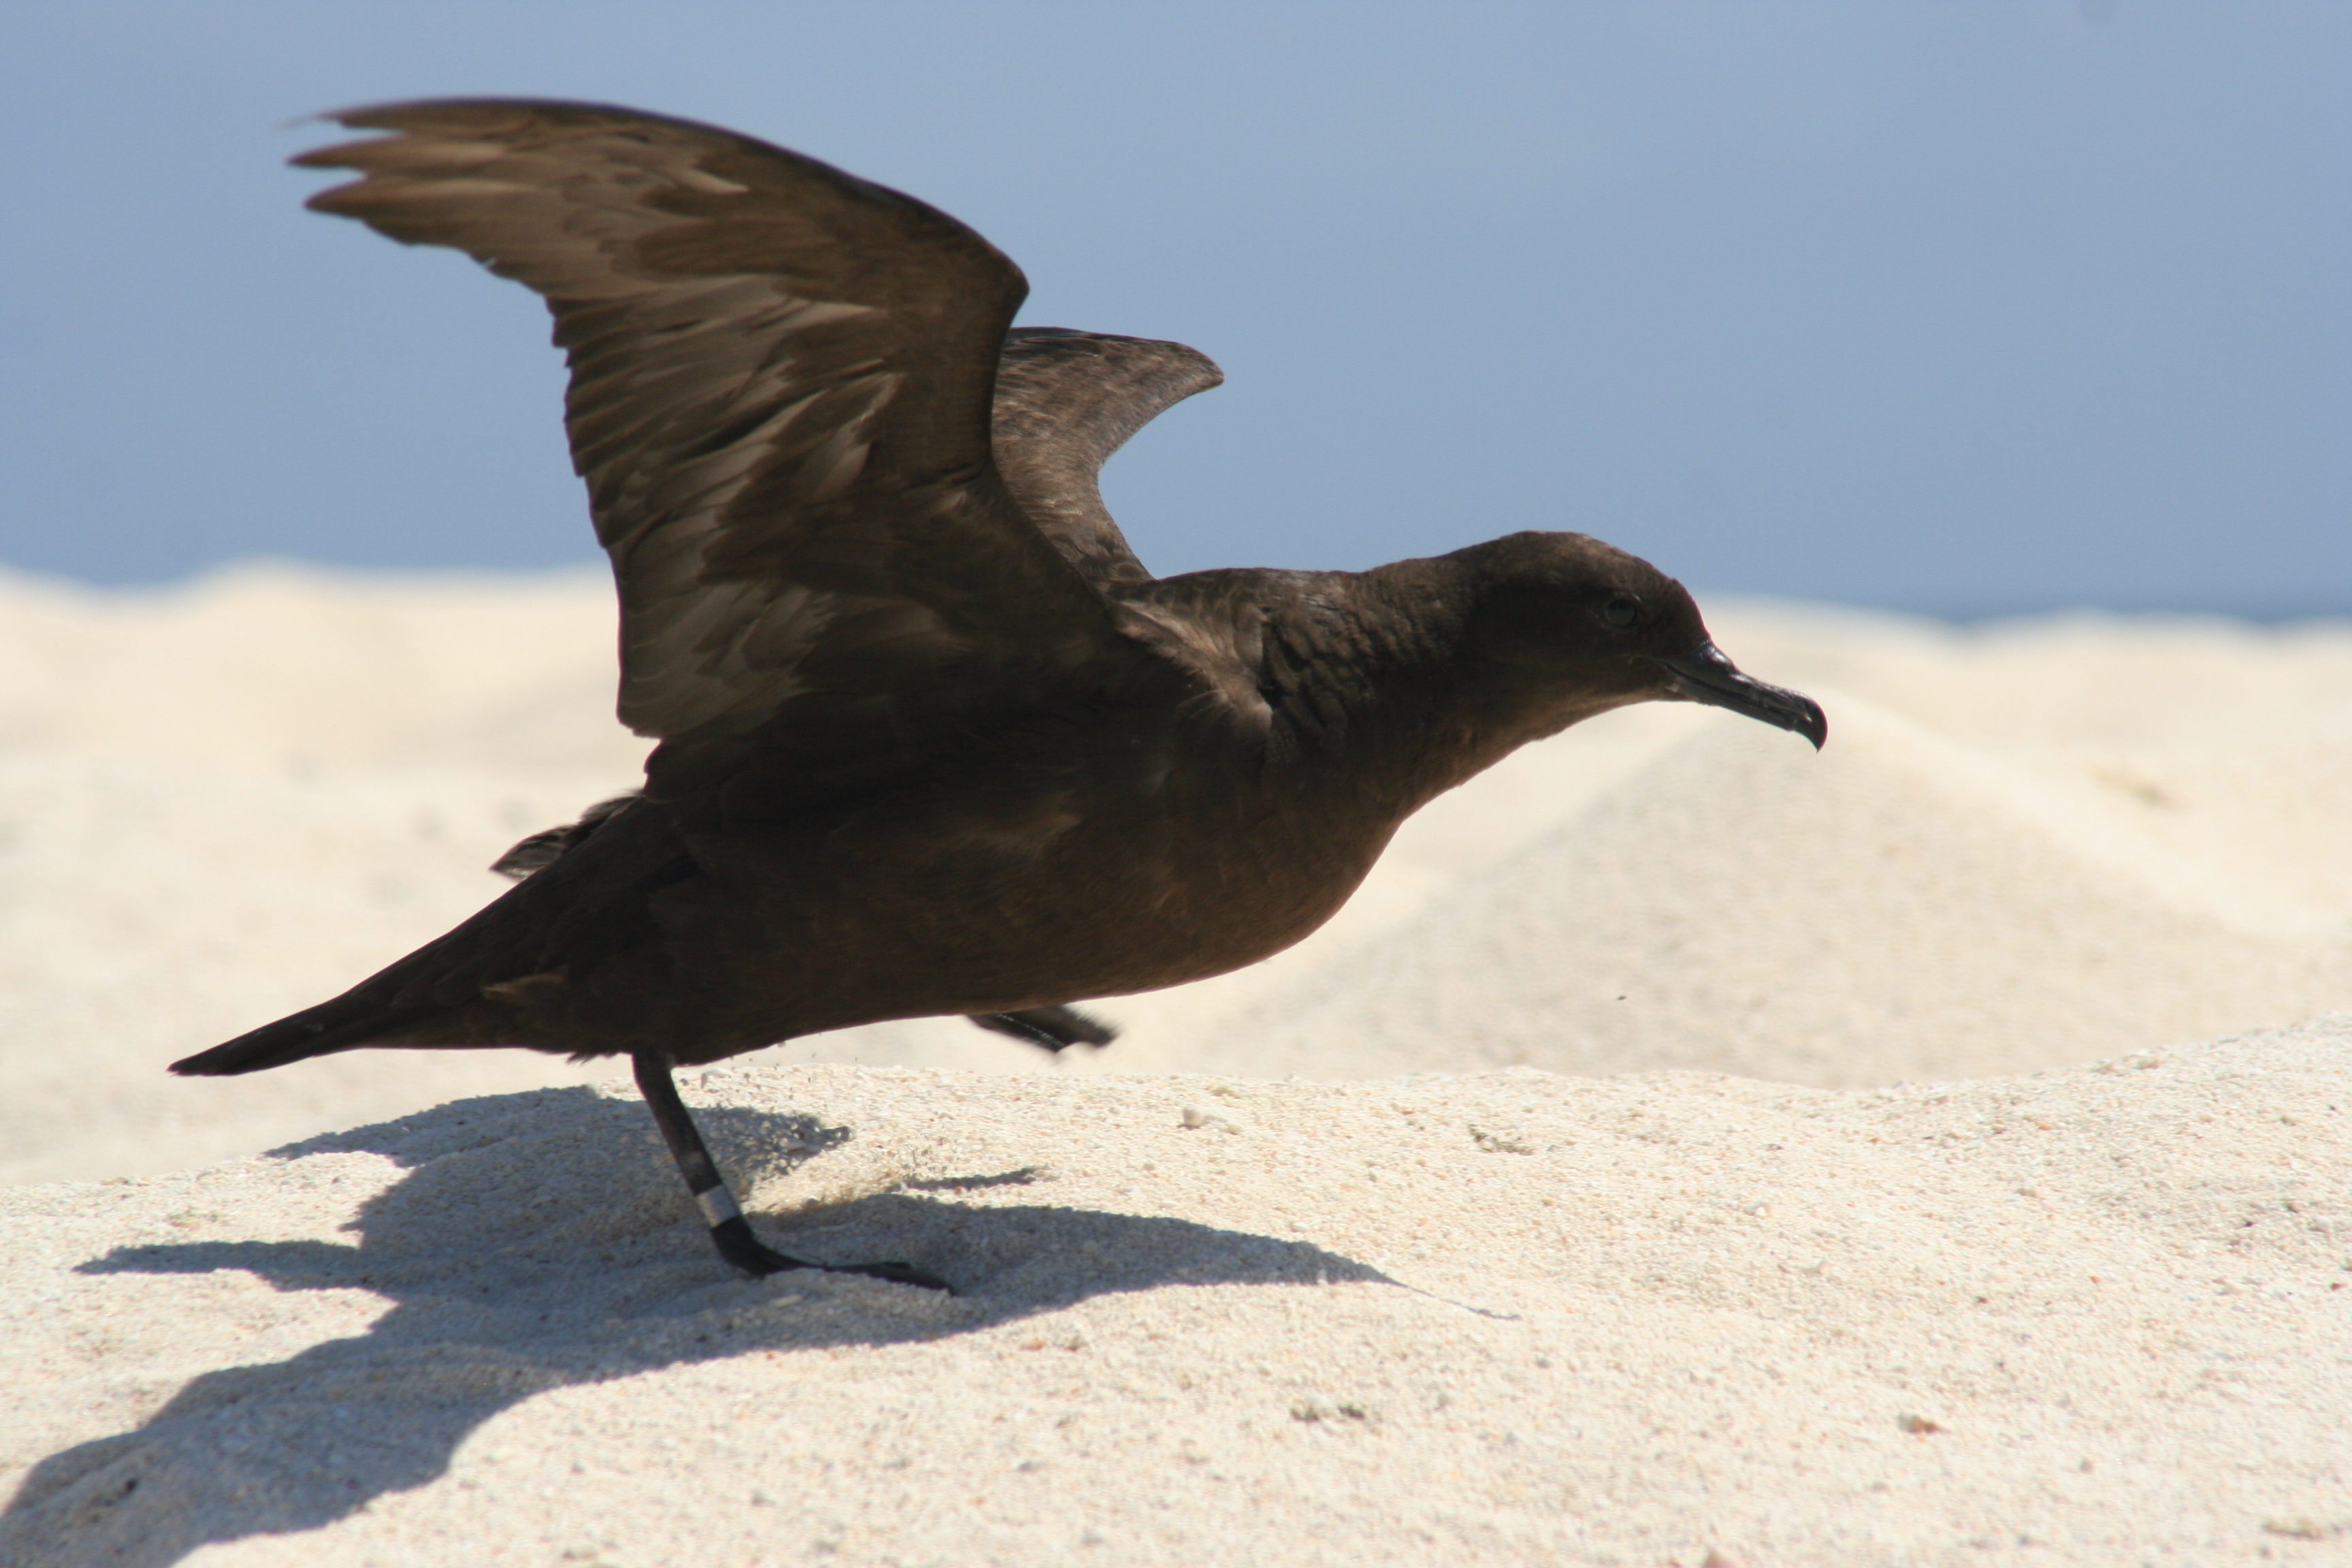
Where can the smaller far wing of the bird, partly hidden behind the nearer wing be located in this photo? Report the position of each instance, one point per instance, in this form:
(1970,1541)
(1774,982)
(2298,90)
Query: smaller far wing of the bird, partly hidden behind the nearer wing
(1067,401)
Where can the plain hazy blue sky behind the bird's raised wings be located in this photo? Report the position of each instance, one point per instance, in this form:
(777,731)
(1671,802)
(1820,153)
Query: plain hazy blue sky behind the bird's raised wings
(1960,307)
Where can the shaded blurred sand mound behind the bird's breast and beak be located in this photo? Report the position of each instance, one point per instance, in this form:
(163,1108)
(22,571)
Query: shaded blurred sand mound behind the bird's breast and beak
(1899,909)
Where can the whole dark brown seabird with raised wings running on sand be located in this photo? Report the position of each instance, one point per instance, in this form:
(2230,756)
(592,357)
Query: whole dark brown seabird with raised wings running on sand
(930,737)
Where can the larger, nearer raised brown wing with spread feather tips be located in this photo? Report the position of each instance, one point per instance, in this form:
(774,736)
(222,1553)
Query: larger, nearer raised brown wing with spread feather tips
(782,389)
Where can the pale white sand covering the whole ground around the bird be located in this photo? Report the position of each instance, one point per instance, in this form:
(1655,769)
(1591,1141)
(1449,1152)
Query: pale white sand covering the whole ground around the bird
(1492,1318)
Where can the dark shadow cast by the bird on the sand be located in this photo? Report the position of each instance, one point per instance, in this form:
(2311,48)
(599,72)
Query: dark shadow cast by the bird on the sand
(542,1242)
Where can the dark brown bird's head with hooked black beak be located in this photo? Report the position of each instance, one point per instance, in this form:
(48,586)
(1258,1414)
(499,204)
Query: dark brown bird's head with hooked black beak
(1563,626)
